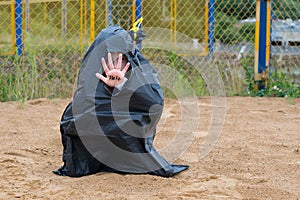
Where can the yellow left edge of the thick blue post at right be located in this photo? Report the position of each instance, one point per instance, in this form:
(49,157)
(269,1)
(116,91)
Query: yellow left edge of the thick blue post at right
(256,75)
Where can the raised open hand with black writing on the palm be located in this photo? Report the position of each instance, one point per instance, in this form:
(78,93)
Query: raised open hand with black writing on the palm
(114,72)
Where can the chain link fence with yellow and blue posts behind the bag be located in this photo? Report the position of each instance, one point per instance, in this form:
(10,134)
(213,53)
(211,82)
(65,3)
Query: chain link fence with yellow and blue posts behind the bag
(179,33)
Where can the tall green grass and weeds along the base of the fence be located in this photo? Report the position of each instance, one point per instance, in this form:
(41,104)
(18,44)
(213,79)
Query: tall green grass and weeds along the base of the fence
(50,65)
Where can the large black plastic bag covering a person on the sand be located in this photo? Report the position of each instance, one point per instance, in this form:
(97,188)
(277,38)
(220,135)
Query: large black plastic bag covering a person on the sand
(113,130)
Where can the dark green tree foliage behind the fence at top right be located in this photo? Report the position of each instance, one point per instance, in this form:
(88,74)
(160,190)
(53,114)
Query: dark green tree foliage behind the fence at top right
(229,12)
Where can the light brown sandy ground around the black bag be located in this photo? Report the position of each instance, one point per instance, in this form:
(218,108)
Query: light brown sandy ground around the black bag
(257,155)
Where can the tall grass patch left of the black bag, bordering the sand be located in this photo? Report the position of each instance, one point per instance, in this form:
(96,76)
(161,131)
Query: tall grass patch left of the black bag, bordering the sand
(37,75)
